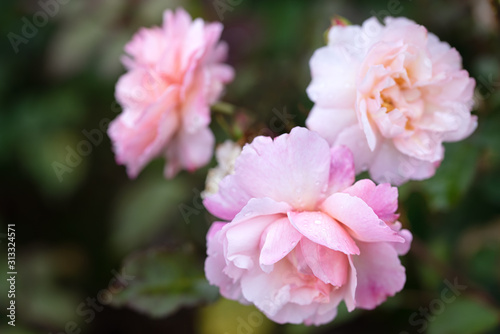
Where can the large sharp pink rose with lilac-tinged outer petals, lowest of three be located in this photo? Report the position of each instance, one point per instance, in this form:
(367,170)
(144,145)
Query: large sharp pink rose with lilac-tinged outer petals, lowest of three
(301,237)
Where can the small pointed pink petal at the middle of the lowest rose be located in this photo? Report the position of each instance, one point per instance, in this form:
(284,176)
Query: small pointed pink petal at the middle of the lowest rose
(322,229)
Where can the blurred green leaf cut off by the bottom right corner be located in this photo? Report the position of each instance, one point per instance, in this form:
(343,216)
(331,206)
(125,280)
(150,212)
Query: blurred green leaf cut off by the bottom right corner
(464,316)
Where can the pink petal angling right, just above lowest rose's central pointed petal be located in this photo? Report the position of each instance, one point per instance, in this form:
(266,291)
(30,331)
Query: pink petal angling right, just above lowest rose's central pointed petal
(361,220)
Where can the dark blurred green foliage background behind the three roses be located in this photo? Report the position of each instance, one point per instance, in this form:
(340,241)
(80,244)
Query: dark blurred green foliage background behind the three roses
(99,253)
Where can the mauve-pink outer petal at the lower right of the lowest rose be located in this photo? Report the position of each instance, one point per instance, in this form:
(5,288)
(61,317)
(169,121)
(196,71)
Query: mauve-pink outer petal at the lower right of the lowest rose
(379,273)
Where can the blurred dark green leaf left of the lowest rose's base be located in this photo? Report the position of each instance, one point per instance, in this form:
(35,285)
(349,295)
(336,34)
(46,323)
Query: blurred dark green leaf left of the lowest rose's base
(163,283)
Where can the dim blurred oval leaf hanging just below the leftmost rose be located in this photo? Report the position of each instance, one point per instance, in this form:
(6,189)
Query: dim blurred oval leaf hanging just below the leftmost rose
(148,205)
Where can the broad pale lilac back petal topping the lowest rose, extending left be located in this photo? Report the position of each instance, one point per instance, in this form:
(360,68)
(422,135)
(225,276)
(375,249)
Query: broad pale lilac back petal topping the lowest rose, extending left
(299,162)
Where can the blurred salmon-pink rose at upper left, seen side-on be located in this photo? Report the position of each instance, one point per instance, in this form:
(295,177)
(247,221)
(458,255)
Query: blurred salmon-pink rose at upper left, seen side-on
(175,72)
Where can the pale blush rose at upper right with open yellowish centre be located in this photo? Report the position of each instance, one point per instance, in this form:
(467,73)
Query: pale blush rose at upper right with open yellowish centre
(392,94)
